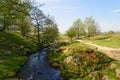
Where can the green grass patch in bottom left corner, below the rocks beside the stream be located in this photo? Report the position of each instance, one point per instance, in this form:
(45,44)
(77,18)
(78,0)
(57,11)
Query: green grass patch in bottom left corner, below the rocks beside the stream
(10,66)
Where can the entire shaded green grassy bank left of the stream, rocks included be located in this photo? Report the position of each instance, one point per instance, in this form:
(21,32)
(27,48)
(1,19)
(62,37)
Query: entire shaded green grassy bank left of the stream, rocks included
(13,51)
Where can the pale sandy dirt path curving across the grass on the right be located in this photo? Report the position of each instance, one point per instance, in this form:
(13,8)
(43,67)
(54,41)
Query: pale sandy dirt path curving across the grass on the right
(111,52)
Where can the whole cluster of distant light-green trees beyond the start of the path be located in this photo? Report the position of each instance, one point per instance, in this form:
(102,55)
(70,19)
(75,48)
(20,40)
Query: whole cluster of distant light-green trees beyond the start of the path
(86,28)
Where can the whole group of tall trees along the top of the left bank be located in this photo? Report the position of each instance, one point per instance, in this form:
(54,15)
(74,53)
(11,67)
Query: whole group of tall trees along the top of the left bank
(26,17)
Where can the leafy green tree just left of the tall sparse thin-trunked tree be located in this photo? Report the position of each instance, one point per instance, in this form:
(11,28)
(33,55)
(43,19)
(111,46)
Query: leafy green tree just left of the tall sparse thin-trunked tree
(23,21)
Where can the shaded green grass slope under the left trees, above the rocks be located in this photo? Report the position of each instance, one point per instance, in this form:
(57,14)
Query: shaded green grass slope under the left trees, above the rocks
(11,41)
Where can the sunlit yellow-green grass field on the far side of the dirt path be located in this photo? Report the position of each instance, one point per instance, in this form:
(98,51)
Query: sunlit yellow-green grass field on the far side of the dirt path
(108,40)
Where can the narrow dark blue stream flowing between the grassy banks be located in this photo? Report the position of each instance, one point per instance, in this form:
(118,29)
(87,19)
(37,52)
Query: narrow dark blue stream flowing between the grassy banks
(38,68)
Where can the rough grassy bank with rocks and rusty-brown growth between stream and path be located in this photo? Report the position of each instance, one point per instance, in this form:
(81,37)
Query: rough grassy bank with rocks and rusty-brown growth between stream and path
(81,62)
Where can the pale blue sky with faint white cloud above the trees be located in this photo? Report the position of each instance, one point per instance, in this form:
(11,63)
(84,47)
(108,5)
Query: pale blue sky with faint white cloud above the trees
(105,12)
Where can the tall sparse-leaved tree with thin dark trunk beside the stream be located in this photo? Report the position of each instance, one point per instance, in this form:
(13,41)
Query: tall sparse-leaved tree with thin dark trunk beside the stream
(38,20)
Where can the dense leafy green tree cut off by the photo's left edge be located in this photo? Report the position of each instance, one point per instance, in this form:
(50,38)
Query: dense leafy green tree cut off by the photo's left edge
(5,14)
